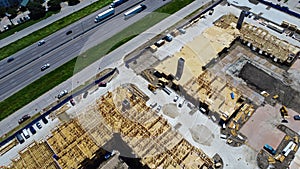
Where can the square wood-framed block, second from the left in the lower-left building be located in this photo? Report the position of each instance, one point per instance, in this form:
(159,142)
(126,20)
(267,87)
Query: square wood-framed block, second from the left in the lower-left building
(72,146)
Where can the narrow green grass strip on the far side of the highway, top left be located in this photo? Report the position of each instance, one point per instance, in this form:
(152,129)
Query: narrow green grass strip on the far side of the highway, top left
(22,43)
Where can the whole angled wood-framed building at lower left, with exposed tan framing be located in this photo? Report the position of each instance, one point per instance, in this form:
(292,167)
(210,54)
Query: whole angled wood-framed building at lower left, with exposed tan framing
(122,111)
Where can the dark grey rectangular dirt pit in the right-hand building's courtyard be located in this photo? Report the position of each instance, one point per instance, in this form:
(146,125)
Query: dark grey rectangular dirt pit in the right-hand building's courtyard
(261,81)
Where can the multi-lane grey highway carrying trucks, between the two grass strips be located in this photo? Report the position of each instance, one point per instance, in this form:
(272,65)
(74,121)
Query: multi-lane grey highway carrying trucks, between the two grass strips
(60,48)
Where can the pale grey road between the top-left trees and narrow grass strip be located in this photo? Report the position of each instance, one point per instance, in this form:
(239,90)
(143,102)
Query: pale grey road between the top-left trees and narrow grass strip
(65,11)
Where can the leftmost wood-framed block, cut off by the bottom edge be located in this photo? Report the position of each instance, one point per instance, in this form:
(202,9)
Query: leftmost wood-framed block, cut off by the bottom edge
(36,155)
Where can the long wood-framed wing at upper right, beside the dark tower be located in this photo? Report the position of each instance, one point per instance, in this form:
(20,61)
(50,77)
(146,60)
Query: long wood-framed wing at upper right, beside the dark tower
(261,41)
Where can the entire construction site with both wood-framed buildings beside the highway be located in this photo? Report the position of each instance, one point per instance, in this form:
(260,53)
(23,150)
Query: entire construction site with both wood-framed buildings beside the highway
(233,73)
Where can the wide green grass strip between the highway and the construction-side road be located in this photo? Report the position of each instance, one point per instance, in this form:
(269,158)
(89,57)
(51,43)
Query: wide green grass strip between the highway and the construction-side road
(57,76)
